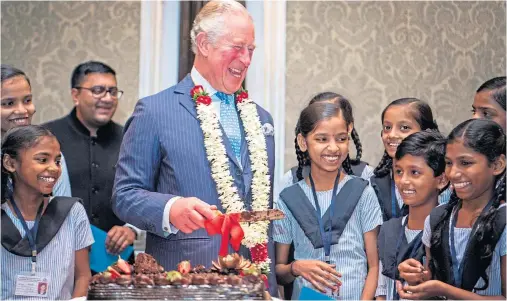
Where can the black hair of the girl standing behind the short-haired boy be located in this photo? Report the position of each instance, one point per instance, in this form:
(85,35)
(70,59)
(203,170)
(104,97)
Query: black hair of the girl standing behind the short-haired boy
(421,113)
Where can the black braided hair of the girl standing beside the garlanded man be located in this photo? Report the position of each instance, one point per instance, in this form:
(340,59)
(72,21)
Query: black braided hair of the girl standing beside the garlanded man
(346,109)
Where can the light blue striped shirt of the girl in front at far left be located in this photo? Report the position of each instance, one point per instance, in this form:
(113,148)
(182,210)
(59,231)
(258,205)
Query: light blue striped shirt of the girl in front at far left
(56,259)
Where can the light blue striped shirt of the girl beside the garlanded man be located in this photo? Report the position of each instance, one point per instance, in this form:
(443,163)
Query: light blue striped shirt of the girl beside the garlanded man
(349,254)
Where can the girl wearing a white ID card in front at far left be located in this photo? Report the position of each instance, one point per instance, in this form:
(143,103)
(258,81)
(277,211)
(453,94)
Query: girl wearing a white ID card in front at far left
(45,240)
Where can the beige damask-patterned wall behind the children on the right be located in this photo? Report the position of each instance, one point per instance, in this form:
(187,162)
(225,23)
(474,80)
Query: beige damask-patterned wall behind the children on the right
(375,52)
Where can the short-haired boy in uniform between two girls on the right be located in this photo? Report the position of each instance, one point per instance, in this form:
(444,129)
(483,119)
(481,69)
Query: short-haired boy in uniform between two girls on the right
(419,174)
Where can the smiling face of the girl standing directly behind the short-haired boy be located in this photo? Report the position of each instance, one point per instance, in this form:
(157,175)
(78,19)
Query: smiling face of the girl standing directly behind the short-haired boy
(398,123)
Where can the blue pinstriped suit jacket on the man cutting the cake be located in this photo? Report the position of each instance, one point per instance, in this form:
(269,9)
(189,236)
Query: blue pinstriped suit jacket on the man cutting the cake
(162,156)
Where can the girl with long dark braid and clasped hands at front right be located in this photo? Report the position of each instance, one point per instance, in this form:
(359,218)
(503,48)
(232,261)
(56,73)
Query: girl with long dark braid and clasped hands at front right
(465,239)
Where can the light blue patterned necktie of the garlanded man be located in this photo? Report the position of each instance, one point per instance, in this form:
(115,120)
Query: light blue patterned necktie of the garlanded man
(230,122)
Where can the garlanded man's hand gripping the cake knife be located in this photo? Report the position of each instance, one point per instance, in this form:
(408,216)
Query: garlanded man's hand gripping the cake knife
(189,214)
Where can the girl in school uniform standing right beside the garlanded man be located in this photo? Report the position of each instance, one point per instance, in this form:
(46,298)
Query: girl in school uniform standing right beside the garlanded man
(332,217)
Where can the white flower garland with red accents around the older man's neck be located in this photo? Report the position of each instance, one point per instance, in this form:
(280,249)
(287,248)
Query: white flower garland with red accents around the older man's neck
(256,234)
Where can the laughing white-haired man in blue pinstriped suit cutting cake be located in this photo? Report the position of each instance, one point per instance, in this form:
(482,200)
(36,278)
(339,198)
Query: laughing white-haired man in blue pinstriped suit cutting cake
(164,182)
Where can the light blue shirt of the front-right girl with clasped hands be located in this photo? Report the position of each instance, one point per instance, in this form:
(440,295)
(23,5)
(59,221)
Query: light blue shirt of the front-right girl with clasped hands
(461,236)
